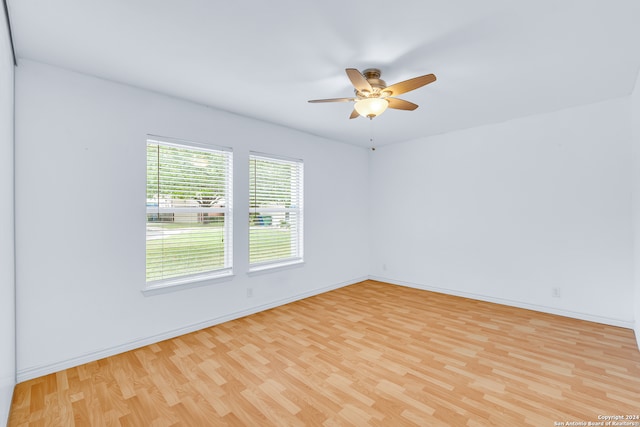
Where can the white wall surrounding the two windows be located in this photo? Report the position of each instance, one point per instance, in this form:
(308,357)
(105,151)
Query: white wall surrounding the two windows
(80,218)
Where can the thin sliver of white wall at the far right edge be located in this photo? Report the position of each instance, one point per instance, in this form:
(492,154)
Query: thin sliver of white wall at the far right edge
(635,122)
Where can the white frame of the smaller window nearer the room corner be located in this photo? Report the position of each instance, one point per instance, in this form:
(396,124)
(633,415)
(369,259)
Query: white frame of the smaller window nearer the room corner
(298,258)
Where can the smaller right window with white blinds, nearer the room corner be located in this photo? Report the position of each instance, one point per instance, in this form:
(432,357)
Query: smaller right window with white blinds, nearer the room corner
(276,211)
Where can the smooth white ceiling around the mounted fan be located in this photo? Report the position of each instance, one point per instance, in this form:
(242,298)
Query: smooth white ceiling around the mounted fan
(495,59)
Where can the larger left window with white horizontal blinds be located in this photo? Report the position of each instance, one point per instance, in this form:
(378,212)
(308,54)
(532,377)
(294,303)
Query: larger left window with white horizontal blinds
(189,212)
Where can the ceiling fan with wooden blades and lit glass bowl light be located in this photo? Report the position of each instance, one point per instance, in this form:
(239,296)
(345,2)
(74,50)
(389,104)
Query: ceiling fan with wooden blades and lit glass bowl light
(373,96)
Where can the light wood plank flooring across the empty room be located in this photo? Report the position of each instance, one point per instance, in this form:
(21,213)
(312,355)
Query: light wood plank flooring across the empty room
(367,354)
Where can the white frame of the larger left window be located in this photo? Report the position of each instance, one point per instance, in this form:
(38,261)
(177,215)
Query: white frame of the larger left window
(199,278)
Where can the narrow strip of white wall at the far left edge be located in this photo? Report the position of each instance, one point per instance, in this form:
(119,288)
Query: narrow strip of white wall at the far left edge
(7,278)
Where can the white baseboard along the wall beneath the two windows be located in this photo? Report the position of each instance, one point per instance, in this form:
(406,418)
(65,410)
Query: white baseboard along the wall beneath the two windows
(38,371)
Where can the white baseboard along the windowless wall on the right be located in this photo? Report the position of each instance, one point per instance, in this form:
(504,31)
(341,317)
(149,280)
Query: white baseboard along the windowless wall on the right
(544,309)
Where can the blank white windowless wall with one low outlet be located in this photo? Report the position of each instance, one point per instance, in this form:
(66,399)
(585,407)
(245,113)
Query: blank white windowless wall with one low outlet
(508,212)
